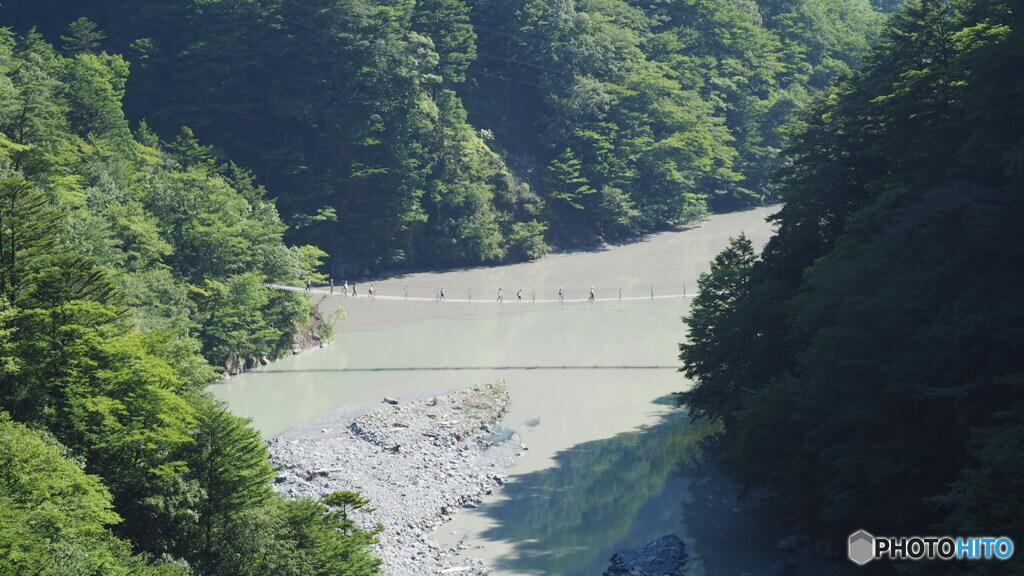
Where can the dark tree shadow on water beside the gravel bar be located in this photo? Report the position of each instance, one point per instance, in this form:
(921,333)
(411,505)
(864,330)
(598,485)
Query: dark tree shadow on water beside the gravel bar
(623,492)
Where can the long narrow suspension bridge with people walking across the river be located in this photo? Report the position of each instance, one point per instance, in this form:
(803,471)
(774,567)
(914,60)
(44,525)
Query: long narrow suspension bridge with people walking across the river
(470,297)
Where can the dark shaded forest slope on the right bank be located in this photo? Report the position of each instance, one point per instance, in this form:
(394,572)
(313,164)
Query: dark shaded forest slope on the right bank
(867,365)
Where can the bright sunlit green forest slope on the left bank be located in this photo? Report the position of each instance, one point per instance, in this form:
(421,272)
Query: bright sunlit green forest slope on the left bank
(127,266)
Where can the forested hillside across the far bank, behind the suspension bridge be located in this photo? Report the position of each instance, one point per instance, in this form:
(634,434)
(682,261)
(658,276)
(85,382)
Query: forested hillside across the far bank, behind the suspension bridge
(450,133)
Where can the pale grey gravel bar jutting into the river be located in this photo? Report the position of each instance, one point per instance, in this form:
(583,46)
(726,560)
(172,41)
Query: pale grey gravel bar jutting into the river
(419,461)
